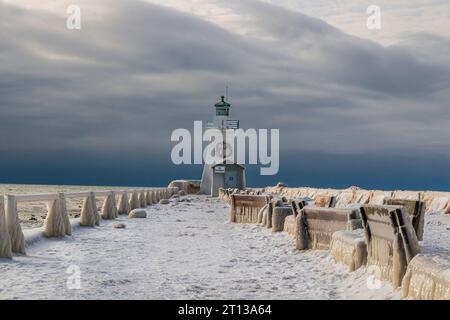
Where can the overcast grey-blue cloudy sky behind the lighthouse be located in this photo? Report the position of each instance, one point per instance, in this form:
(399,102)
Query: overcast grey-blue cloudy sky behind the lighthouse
(97,105)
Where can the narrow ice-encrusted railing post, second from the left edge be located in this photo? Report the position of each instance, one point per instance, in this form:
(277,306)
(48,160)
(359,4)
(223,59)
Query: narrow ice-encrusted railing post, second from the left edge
(13,223)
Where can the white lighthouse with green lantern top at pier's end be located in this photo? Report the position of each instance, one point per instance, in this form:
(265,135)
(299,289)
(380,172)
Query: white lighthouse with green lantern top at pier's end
(224,173)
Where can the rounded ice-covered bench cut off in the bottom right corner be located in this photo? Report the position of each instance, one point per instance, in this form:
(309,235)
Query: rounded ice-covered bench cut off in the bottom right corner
(427,278)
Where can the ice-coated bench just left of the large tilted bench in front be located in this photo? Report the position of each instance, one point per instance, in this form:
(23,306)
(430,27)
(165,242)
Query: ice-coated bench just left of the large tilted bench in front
(315,226)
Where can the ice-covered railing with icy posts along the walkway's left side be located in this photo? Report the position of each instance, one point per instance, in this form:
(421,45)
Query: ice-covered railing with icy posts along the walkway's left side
(57,222)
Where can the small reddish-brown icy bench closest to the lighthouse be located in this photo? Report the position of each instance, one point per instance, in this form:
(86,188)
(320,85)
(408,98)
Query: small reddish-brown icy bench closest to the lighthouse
(246,208)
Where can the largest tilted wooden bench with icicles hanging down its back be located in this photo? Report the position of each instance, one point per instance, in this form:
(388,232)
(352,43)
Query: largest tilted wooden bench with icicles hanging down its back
(391,241)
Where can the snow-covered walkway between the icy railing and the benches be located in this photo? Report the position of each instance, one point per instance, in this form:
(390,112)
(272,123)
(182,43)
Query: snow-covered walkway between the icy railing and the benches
(188,250)
